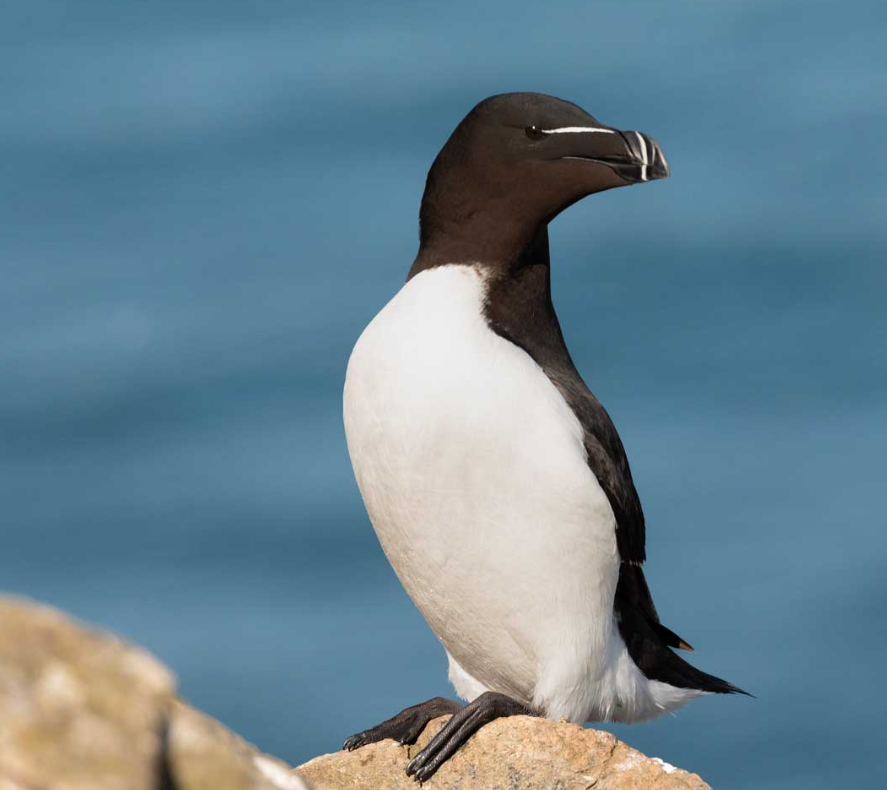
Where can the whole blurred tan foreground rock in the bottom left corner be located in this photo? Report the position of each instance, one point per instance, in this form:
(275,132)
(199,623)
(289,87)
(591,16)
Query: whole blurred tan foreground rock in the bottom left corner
(83,710)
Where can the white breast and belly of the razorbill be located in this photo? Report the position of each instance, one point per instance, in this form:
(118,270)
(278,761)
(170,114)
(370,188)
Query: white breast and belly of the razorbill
(473,472)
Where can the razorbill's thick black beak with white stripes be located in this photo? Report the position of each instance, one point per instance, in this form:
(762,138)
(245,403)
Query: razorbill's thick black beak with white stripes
(633,156)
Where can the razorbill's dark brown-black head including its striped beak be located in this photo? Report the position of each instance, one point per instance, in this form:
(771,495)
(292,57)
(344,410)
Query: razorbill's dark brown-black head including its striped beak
(513,164)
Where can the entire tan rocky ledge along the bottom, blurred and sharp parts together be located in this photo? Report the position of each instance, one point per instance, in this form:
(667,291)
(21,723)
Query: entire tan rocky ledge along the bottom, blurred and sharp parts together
(82,710)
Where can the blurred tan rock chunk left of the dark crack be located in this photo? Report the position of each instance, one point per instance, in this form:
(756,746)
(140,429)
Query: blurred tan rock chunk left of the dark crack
(76,706)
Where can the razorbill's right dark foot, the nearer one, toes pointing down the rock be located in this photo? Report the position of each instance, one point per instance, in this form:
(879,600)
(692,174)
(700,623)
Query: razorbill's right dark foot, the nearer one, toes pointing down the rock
(488,706)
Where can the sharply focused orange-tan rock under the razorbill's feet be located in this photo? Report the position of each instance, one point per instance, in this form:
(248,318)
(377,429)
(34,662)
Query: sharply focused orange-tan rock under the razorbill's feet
(518,753)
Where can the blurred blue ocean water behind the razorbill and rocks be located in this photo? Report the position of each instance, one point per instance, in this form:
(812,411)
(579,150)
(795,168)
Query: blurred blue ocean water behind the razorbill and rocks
(203,203)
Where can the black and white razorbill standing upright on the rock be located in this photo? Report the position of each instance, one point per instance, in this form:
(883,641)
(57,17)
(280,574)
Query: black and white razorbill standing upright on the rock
(495,480)
